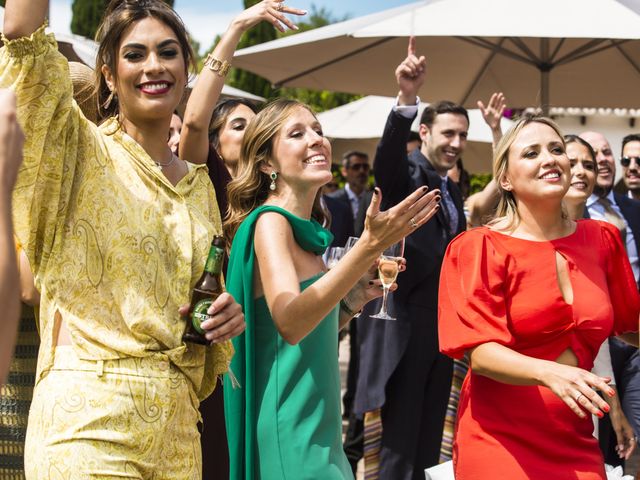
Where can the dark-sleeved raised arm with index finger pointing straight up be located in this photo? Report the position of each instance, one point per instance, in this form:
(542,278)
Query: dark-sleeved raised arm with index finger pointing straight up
(391,166)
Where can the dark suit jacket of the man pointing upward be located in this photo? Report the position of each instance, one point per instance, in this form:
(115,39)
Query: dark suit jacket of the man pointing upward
(415,303)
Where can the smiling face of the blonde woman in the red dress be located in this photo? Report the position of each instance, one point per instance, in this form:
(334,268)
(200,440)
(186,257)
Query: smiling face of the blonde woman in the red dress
(538,167)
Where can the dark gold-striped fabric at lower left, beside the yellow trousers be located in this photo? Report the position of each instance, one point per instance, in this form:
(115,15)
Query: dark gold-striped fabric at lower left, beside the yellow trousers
(15,398)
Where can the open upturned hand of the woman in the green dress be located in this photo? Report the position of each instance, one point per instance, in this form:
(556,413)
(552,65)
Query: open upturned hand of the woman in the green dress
(388,227)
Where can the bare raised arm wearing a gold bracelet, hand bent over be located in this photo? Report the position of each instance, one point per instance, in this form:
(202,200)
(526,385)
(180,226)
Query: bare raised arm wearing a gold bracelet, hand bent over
(194,139)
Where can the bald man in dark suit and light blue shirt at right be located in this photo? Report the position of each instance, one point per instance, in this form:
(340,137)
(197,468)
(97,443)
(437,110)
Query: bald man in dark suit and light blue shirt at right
(618,209)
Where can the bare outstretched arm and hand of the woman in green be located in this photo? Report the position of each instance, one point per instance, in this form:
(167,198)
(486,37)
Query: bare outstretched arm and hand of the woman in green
(296,314)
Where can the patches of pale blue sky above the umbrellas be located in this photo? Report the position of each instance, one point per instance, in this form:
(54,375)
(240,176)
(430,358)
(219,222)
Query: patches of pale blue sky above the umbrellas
(207,18)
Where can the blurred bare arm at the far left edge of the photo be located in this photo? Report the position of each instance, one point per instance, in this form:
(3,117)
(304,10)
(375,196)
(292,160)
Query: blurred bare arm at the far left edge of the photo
(11,141)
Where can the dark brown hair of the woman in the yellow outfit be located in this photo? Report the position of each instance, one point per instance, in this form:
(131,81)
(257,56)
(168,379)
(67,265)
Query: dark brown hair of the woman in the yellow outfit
(118,17)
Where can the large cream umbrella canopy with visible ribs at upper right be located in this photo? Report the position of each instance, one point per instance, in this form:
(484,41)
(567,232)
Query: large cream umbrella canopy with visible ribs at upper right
(582,53)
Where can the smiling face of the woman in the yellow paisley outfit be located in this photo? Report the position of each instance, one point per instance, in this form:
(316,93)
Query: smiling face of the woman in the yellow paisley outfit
(150,75)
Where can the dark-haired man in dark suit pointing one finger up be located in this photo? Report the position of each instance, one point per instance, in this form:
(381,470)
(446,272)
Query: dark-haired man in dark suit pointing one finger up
(402,372)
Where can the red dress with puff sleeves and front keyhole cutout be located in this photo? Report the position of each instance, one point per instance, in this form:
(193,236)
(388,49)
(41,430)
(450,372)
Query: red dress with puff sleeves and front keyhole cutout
(498,288)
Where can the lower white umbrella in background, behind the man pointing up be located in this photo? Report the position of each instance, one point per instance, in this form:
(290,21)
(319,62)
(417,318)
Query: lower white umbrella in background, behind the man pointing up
(359,125)
